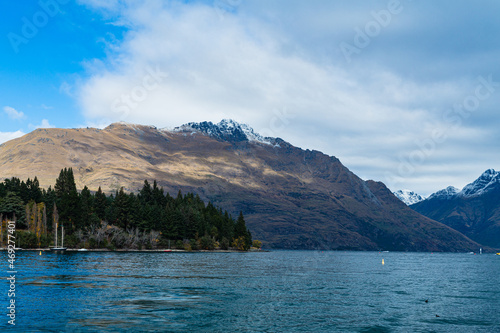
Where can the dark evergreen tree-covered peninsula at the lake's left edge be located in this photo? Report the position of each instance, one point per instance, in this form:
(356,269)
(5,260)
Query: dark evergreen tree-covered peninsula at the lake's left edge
(148,219)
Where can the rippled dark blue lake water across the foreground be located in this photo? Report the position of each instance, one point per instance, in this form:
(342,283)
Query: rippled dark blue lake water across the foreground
(279,291)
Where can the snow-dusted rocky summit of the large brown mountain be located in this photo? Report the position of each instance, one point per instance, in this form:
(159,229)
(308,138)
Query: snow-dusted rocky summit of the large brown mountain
(226,130)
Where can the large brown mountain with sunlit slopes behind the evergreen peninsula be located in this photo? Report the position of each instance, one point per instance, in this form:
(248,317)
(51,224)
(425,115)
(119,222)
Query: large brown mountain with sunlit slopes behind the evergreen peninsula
(292,198)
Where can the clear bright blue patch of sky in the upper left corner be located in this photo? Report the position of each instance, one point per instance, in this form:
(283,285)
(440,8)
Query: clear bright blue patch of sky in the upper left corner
(38,65)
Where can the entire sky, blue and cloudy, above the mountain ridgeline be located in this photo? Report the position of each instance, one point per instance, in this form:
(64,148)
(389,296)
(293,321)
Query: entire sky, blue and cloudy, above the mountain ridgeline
(403,92)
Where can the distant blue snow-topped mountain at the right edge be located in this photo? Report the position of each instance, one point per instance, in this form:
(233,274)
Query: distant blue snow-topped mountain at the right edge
(473,211)
